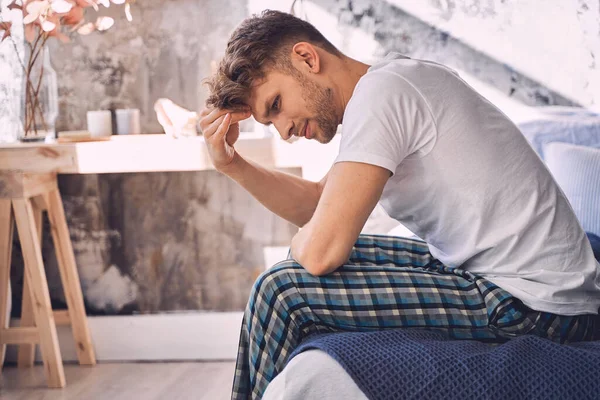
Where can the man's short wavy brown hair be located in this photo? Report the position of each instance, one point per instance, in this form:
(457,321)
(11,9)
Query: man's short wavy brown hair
(260,43)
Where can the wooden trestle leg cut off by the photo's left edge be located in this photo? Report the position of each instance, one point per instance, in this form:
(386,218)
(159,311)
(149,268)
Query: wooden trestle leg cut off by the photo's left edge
(6,232)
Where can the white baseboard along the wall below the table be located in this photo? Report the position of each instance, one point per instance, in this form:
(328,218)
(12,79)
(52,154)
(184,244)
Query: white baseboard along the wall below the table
(178,336)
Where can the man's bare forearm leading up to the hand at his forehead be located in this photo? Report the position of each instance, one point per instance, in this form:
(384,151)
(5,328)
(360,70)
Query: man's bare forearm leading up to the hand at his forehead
(291,197)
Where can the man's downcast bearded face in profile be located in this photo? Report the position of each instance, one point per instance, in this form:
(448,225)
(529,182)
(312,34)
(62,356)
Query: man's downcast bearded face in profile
(295,105)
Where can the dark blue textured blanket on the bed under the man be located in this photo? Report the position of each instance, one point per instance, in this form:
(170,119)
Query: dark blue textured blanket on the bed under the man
(416,364)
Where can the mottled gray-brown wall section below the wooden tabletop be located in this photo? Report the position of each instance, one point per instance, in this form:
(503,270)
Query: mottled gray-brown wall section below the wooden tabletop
(161,242)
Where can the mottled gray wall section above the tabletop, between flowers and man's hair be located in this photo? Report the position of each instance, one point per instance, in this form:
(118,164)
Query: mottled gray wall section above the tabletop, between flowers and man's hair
(165,52)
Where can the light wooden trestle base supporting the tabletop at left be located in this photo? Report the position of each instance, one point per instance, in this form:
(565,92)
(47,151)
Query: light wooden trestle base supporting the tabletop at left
(23,197)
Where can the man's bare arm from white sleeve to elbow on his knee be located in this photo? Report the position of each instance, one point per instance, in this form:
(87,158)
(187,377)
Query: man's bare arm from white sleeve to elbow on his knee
(349,196)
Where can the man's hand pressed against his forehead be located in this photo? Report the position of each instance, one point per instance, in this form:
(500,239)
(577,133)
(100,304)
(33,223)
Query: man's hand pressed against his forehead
(221,130)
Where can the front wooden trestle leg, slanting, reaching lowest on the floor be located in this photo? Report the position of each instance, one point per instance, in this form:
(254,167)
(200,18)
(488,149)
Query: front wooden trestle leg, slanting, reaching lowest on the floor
(34,268)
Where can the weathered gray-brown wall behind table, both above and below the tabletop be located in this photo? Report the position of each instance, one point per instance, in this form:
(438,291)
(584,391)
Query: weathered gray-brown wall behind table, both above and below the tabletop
(155,242)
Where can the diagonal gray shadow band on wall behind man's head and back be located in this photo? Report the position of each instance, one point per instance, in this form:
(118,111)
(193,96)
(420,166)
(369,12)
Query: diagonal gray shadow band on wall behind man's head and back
(396,30)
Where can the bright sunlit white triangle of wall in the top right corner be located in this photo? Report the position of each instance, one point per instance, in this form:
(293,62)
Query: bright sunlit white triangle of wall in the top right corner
(553,42)
